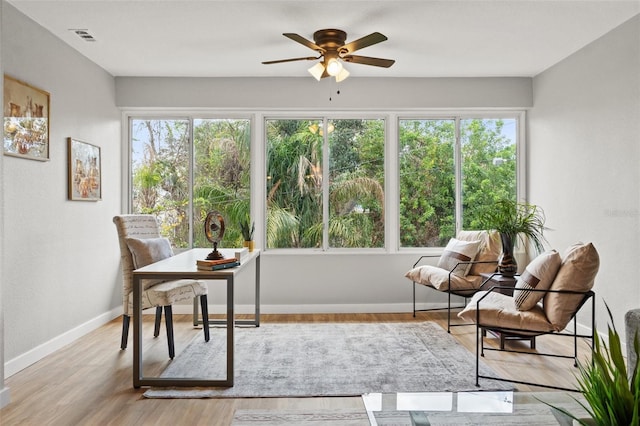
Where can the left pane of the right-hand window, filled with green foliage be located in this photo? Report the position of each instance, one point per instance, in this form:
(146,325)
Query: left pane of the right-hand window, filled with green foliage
(427,182)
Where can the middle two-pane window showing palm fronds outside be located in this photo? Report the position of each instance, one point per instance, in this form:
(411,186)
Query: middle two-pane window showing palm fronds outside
(315,201)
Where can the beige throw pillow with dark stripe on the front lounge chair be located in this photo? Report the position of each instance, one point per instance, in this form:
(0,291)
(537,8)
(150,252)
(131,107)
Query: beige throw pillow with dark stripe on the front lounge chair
(539,275)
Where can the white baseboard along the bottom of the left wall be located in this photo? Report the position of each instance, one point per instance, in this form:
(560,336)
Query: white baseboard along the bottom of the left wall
(20,362)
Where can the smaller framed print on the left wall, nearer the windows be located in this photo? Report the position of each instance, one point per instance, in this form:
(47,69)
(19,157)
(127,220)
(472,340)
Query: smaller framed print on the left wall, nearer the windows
(84,171)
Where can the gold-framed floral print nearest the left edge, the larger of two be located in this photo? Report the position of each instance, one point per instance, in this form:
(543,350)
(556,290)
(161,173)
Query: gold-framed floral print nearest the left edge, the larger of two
(26,120)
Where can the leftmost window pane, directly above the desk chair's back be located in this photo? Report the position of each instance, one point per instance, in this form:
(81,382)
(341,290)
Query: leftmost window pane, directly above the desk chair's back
(160,174)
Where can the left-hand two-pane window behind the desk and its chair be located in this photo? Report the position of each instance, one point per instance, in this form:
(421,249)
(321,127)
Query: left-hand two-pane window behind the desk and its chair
(180,174)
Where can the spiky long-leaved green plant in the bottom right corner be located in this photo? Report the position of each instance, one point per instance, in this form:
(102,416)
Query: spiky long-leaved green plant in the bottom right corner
(612,395)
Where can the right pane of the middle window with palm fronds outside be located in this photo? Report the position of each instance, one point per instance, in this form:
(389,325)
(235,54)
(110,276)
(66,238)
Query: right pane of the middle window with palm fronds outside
(356,192)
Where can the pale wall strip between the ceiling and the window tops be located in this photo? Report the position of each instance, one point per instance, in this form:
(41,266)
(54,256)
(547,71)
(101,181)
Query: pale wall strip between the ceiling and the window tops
(305,92)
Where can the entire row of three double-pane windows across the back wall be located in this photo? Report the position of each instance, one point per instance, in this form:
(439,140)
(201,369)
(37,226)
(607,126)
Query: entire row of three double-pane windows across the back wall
(325,178)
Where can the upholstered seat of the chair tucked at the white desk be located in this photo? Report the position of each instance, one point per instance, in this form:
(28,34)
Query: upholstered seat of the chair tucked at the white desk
(170,292)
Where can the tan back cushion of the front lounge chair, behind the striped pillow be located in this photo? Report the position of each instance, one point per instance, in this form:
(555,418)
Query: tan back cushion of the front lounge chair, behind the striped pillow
(577,272)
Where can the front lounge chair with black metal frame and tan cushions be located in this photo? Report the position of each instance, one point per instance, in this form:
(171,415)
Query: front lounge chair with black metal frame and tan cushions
(568,292)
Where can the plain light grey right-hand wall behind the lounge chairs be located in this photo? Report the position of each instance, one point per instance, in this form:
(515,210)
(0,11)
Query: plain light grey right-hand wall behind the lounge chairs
(584,160)
